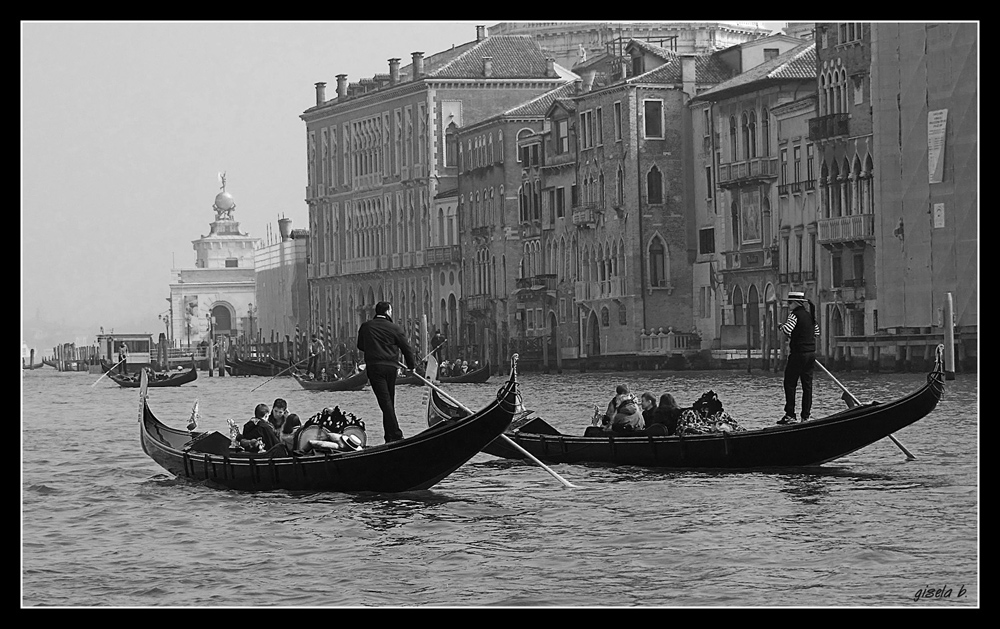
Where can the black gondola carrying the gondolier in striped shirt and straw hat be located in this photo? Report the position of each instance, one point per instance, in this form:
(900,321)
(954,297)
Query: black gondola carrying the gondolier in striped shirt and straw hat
(813,442)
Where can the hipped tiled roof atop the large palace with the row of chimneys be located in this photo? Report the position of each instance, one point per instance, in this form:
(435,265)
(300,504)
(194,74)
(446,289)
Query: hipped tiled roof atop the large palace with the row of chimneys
(514,56)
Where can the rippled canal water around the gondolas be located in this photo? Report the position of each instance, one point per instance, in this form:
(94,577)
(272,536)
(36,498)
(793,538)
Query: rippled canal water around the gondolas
(103,525)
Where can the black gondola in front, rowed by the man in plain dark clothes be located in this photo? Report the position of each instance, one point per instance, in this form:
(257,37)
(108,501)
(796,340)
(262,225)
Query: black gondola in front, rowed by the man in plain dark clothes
(410,464)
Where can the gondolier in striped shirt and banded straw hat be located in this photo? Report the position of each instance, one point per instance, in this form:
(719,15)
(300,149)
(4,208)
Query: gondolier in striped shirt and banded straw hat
(802,330)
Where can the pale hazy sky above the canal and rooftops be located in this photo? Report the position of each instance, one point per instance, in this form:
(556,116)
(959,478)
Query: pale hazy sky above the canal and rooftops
(125,126)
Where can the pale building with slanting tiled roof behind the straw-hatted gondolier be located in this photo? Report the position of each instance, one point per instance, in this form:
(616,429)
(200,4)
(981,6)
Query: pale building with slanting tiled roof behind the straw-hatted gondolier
(742,212)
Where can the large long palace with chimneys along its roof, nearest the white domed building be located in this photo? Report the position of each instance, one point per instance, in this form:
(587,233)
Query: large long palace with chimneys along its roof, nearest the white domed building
(378,156)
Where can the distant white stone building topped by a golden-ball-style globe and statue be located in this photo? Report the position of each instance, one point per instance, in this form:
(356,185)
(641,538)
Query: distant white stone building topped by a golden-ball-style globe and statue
(213,295)
